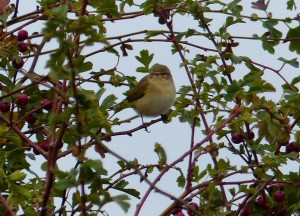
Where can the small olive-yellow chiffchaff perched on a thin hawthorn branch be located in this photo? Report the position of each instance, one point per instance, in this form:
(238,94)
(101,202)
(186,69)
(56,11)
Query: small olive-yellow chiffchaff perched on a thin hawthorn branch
(154,94)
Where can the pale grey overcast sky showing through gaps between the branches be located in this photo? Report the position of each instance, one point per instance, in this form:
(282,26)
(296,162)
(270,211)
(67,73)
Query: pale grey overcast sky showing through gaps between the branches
(175,136)
